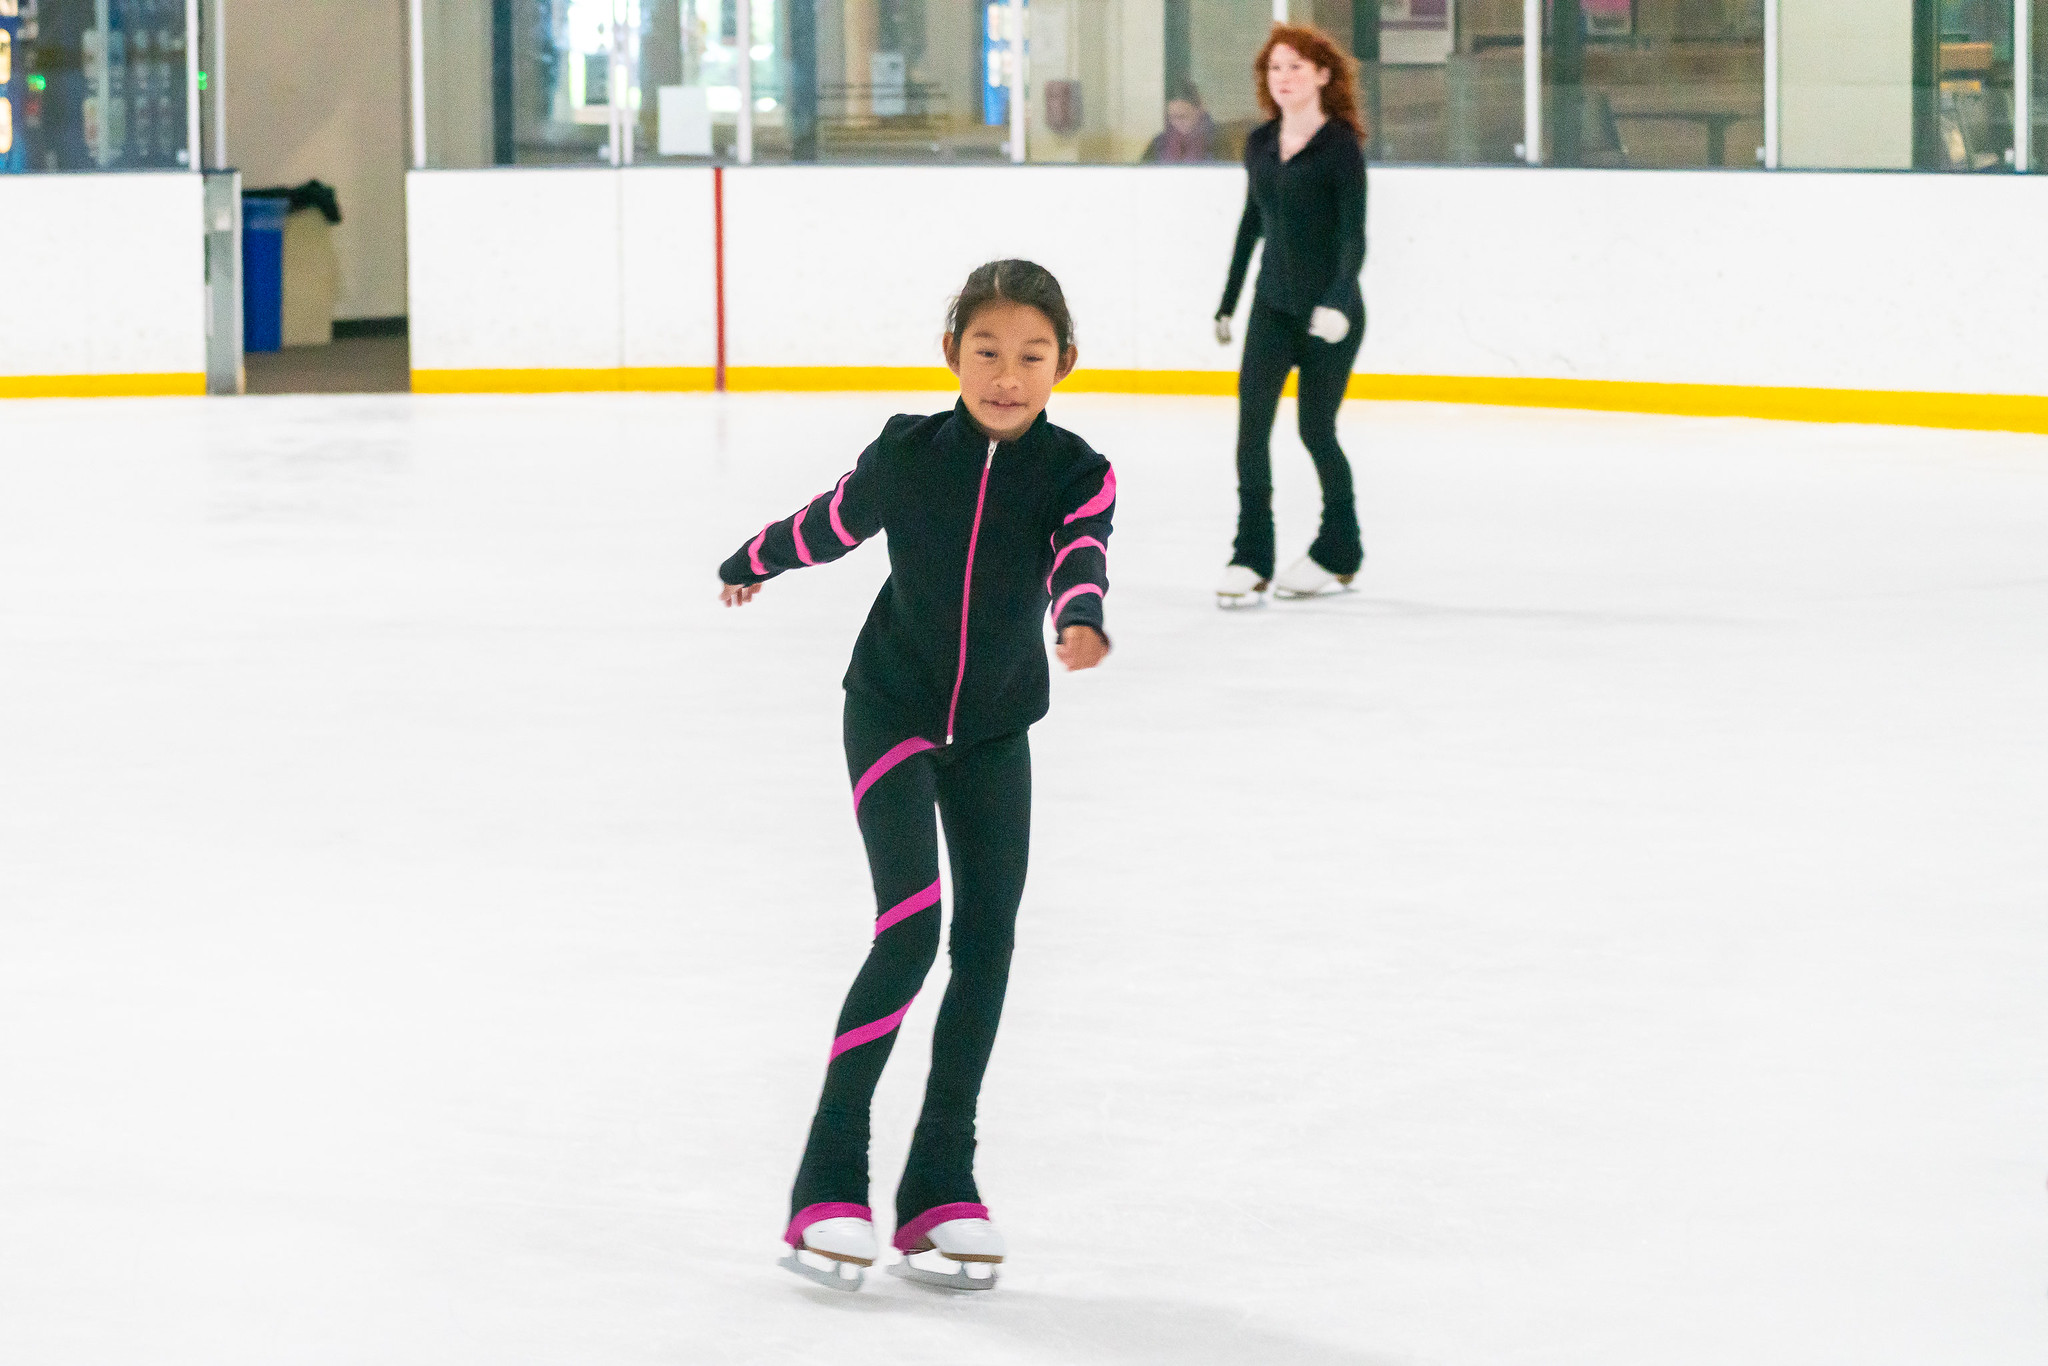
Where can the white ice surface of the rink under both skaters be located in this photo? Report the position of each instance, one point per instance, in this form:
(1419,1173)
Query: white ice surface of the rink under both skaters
(1613,937)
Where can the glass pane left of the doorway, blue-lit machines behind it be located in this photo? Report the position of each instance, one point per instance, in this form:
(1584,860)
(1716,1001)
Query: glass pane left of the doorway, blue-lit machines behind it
(93,85)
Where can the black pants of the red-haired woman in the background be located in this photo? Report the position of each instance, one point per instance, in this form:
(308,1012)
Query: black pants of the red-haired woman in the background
(1275,345)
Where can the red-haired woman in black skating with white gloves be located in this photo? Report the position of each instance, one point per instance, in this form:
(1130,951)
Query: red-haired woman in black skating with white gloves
(1306,194)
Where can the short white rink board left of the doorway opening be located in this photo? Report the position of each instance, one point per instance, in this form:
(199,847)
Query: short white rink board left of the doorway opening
(110,271)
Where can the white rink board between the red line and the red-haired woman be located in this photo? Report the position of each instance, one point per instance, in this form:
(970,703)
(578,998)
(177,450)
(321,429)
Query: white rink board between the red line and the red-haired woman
(855,265)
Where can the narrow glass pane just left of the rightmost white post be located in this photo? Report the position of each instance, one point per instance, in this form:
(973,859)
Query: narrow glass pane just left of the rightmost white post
(1963,67)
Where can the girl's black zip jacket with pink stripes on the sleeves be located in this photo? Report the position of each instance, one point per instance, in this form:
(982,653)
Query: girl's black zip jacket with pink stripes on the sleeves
(982,540)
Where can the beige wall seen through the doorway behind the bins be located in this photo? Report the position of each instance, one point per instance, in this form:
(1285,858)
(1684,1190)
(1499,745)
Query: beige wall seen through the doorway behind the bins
(318,93)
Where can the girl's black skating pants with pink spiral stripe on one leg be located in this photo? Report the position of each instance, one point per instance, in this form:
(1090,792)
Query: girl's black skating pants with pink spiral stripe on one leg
(982,794)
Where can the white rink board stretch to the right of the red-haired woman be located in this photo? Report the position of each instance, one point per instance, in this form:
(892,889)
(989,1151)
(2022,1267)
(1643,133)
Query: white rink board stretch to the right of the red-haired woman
(1809,280)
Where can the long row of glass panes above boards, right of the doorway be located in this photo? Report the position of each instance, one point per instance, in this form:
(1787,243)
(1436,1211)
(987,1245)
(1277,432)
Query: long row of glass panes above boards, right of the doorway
(1727,85)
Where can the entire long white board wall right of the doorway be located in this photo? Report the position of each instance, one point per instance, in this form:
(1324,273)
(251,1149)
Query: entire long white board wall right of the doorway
(1846,282)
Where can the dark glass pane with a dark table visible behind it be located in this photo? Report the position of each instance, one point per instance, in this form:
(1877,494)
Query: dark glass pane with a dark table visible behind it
(1654,83)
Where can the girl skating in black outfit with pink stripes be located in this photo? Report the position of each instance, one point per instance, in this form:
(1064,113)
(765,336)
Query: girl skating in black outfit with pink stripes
(994,515)
